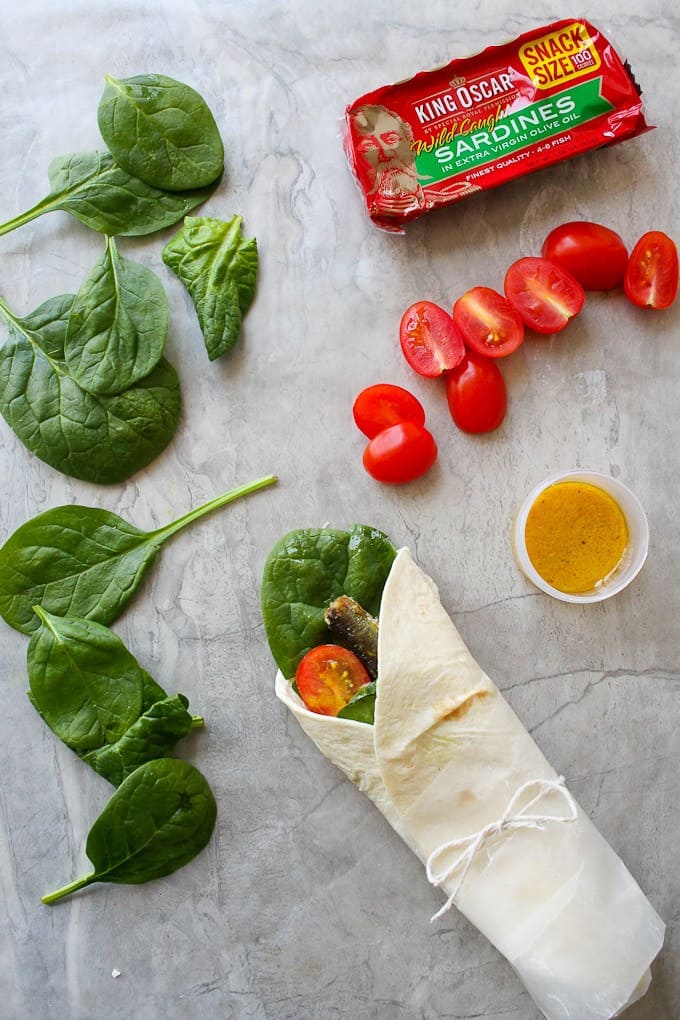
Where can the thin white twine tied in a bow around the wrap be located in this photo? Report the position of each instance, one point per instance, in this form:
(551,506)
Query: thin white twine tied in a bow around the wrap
(511,819)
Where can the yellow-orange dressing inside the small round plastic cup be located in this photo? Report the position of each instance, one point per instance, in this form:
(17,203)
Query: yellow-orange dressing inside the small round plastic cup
(577,536)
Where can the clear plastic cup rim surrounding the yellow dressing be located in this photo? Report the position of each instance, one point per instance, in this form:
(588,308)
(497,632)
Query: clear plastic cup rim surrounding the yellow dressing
(635,554)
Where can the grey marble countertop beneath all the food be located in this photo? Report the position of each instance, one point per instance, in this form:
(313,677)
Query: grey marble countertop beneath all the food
(306,904)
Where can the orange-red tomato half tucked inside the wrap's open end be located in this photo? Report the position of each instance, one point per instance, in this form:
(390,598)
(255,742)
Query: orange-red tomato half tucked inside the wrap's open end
(329,678)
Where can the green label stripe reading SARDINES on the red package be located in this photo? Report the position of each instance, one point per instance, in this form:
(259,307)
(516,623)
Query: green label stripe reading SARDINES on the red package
(516,131)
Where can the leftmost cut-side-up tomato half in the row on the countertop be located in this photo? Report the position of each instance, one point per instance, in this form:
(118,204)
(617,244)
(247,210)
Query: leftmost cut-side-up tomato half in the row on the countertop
(430,339)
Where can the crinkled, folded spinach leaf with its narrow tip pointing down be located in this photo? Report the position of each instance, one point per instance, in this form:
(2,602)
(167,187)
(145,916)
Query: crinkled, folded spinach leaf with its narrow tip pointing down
(219,268)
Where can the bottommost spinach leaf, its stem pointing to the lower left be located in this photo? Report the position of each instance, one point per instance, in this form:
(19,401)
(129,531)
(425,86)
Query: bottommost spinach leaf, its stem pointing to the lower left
(160,819)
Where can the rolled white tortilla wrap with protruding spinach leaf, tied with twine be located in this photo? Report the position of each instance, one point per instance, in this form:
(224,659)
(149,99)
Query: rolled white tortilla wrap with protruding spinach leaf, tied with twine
(460,780)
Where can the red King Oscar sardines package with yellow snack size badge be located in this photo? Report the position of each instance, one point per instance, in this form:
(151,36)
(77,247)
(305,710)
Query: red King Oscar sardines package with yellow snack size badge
(480,122)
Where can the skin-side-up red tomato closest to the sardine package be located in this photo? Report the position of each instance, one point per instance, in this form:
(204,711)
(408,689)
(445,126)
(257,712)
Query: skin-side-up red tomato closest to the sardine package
(594,254)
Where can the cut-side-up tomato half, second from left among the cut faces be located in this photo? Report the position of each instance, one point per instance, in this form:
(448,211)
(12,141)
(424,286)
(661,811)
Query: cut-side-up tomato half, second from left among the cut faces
(489,323)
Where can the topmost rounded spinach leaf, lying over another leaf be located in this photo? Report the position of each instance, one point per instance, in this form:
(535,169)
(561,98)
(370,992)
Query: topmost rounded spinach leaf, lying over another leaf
(162,131)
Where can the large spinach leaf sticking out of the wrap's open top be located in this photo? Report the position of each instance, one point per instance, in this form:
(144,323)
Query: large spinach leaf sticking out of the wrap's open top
(309,569)
